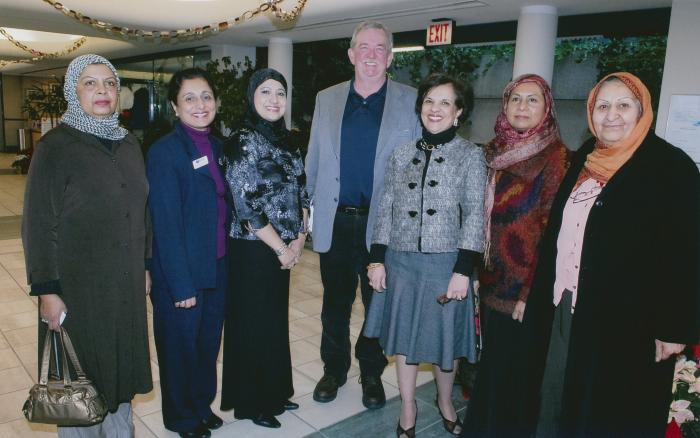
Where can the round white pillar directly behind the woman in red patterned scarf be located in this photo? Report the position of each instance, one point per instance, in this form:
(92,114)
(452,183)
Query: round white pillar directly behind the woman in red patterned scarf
(534,45)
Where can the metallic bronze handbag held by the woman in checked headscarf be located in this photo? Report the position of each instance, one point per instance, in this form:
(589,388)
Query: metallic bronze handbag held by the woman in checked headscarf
(63,401)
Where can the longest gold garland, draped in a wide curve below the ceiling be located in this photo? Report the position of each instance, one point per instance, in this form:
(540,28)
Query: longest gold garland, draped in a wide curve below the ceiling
(182,34)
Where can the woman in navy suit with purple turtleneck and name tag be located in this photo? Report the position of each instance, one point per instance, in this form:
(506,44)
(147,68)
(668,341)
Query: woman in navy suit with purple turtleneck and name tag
(189,213)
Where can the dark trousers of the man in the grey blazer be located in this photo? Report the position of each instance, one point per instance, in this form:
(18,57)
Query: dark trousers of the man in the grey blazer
(341,267)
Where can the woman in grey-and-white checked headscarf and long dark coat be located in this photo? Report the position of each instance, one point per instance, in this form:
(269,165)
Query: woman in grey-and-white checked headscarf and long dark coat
(84,236)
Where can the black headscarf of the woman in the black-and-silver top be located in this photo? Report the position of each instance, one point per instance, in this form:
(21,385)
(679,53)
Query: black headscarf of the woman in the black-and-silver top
(276,131)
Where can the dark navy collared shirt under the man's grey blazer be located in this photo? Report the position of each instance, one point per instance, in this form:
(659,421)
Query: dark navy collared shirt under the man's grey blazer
(358,145)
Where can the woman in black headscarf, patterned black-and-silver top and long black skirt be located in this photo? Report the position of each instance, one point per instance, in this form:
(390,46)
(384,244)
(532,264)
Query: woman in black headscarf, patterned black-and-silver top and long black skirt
(267,181)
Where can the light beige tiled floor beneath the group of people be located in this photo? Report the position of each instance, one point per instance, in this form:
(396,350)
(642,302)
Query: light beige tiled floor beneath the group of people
(344,417)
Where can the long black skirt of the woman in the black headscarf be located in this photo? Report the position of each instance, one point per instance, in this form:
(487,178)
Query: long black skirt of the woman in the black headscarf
(257,366)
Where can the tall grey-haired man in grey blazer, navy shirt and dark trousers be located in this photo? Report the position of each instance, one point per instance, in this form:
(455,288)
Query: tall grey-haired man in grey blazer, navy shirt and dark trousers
(356,126)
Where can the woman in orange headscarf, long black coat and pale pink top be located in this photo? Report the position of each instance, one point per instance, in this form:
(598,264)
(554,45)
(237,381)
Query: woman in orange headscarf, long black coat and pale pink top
(615,294)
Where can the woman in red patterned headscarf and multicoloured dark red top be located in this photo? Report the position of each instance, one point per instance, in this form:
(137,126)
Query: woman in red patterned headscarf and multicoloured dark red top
(527,161)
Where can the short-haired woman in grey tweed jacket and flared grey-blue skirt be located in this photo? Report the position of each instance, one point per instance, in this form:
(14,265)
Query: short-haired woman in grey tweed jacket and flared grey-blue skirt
(427,239)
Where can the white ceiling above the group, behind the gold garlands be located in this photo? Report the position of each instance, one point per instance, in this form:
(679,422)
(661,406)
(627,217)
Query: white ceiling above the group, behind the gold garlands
(320,20)
